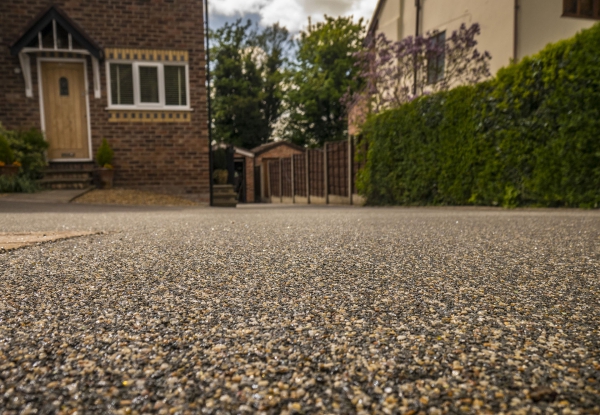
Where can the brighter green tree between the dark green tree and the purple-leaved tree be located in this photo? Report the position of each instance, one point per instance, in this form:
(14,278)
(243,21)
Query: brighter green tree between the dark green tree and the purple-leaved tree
(324,70)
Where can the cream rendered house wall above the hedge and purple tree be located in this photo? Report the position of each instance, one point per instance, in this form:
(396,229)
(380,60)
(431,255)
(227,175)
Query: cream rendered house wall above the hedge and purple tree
(539,22)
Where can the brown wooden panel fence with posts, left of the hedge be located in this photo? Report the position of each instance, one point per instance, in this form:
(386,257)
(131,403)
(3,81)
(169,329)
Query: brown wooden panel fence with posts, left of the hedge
(320,176)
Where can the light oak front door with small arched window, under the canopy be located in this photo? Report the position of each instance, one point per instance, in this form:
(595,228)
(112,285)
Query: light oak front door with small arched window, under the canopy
(65,110)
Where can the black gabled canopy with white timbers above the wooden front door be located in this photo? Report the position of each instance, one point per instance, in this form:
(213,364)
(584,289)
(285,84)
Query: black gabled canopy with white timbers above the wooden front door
(53,30)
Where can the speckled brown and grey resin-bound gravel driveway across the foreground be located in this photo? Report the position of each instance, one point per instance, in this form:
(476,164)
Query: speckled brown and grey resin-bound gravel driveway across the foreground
(302,310)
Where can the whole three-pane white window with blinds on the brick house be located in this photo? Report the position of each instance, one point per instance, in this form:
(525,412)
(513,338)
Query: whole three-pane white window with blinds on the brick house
(148,85)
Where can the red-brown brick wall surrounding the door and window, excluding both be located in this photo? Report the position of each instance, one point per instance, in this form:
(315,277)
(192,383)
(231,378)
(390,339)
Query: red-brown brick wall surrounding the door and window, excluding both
(165,157)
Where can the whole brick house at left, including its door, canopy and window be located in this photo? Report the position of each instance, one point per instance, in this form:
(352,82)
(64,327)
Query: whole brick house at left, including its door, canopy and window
(132,72)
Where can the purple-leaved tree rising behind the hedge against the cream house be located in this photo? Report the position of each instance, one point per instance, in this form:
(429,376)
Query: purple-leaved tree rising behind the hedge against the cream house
(395,73)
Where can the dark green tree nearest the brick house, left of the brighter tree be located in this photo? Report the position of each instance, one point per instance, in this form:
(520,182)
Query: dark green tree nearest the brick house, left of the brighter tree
(247,82)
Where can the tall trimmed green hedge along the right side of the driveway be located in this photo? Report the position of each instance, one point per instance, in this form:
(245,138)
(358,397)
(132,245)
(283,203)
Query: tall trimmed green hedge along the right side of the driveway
(530,136)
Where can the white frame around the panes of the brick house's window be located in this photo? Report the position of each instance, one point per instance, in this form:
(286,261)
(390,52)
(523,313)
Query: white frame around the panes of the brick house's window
(137,104)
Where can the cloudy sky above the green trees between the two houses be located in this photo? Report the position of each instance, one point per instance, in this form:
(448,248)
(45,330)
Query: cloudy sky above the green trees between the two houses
(292,14)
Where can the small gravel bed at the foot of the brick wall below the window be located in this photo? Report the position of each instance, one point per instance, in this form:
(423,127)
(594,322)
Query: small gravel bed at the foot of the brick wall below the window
(131,197)
